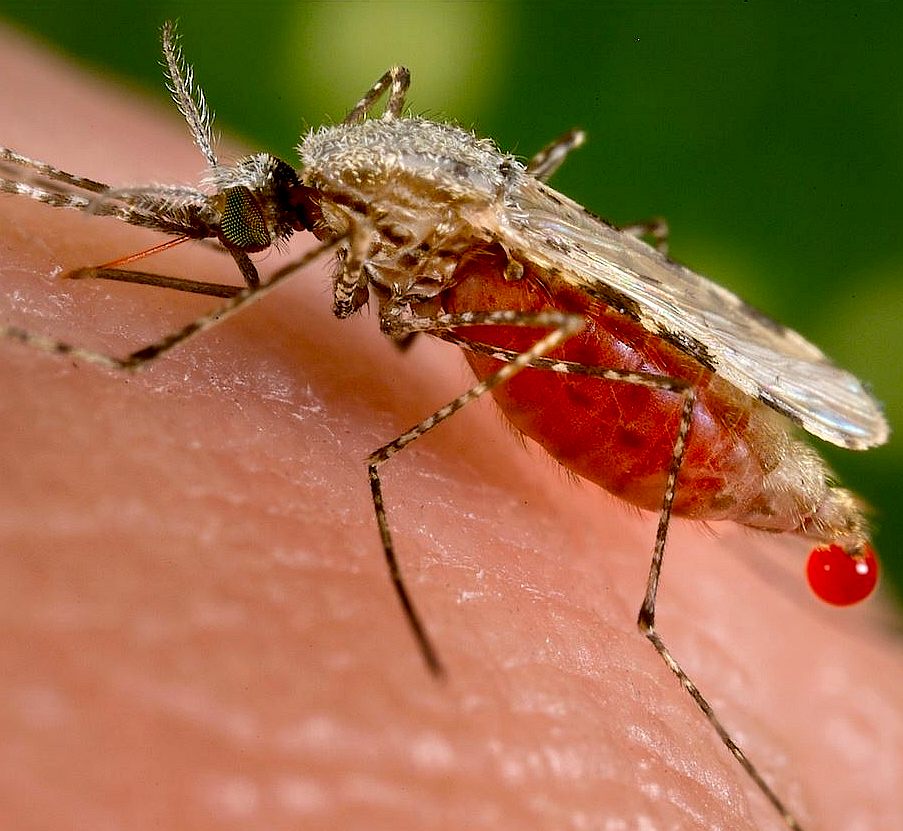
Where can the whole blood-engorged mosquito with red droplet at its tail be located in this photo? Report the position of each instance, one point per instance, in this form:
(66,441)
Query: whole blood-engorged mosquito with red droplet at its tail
(629,369)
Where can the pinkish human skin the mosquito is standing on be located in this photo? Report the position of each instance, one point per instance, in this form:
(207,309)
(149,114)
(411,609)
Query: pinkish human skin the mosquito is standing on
(198,628)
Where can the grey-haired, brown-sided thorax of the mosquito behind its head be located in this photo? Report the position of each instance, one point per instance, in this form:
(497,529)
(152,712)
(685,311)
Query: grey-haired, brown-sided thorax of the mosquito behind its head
(421,192)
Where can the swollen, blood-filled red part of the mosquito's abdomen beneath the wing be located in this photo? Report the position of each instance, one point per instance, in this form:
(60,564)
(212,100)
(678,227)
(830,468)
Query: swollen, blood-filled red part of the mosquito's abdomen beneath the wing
(616,434)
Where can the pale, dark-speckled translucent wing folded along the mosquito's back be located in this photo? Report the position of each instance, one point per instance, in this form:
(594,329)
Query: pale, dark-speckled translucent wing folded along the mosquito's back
(754,353)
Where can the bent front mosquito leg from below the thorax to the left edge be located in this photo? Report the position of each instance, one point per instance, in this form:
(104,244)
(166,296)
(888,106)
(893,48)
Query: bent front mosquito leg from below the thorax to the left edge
(147,354)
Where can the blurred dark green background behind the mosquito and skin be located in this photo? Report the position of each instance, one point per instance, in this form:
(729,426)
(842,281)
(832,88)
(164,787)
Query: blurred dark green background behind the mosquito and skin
(769,135)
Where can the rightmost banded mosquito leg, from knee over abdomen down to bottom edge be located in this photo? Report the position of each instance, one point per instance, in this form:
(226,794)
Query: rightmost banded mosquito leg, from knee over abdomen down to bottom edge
(646,618)
